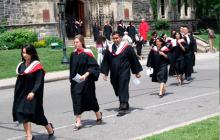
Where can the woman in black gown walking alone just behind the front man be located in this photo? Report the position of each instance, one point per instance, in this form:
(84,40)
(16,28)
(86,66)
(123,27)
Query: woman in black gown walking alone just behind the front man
(158,59)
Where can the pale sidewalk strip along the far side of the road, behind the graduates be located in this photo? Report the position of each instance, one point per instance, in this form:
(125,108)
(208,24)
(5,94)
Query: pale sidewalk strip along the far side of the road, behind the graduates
(61,75)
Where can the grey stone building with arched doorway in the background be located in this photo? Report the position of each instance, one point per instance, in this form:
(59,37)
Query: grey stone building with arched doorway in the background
(42,15)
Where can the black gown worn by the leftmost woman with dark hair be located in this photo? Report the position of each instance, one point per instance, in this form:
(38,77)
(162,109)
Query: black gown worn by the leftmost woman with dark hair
(24,110)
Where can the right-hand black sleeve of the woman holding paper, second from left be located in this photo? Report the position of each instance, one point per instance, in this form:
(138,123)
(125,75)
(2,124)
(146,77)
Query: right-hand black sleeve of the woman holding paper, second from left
(93,69)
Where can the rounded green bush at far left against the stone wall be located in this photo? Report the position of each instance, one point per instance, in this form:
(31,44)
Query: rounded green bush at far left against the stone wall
(17,38)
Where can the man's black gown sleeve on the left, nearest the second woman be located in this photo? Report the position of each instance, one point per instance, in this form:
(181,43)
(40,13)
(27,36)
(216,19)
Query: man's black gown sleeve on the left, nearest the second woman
(105,63)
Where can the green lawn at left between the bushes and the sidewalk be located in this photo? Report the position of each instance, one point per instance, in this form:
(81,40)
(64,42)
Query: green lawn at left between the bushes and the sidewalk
(50,59)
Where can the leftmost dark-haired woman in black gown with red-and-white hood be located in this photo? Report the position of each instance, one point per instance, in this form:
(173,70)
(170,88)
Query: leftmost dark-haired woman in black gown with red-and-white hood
(28,93)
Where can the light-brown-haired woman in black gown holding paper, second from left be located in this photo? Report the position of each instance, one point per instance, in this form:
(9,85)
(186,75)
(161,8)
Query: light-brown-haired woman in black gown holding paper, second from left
(83,63)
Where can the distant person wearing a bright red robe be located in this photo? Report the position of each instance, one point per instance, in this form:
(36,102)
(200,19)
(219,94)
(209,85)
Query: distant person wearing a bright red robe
(143,30)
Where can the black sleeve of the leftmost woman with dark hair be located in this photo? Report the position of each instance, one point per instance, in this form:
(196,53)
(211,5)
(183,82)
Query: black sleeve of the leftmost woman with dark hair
(39,80)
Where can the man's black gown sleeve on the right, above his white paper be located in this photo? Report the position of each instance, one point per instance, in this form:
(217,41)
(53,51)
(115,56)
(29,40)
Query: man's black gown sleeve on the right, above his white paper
(135,64)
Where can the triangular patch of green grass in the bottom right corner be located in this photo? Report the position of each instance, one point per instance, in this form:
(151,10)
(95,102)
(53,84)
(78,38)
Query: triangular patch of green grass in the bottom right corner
(204,130)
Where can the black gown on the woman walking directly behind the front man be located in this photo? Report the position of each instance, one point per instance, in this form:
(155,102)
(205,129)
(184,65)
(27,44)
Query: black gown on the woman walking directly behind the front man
(159,64)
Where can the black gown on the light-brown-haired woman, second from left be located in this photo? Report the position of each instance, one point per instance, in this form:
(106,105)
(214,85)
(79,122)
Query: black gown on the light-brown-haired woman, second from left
(83,94)
